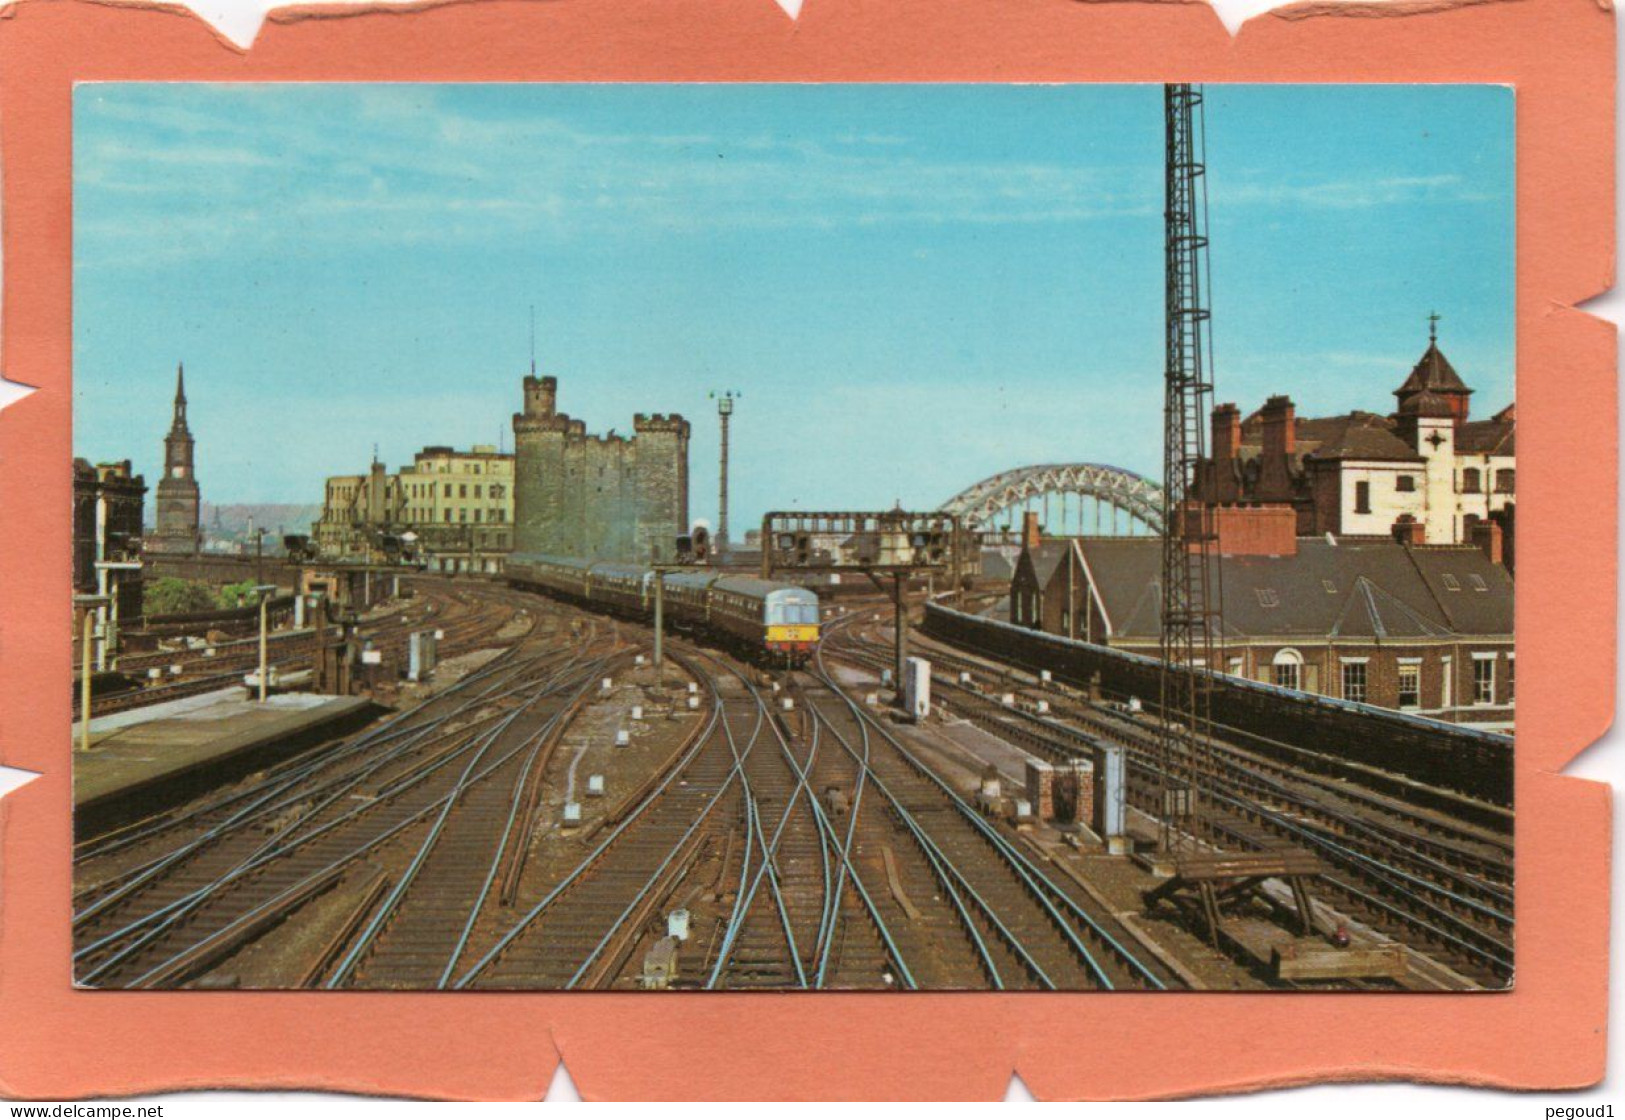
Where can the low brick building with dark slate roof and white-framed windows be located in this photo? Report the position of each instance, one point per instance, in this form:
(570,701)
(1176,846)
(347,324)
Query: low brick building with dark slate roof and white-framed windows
(1389,622)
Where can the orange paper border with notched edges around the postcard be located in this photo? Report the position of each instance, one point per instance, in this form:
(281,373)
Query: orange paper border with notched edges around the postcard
(58,1043)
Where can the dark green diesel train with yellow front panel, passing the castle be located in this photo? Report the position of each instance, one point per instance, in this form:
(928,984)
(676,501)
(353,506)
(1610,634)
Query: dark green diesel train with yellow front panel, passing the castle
(761,619)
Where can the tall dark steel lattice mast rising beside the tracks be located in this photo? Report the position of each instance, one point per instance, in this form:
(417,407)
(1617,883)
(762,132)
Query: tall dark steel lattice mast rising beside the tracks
(1190,617)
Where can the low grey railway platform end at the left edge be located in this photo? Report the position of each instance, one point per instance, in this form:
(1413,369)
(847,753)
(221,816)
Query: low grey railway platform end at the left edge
(152,758)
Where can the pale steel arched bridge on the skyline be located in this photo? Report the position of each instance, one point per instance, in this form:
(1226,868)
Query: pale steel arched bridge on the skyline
(1120,501)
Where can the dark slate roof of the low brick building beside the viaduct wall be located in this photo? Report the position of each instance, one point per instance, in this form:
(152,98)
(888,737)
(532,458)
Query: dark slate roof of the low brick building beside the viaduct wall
(1356,589)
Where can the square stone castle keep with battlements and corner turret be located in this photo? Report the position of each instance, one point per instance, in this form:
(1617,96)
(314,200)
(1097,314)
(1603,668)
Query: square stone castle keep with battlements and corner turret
(597,497)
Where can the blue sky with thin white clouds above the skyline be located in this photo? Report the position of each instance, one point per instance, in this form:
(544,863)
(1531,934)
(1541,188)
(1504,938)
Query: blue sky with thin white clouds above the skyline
(911,287)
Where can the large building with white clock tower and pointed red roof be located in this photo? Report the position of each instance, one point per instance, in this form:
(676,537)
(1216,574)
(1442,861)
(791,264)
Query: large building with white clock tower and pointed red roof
(1361,474)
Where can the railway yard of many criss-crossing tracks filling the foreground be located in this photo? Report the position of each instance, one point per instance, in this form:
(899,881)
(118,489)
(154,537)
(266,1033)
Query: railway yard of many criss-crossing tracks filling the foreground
(553,812)
